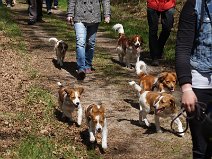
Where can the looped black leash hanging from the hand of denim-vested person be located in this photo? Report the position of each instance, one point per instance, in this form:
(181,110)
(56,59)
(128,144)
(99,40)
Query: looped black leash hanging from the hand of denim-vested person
(199,114)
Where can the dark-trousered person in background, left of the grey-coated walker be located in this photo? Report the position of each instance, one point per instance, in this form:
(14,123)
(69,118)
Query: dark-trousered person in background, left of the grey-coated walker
(35,11)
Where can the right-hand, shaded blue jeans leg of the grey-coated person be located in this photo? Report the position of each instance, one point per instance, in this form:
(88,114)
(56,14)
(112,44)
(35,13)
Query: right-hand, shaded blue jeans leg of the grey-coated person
(90,44)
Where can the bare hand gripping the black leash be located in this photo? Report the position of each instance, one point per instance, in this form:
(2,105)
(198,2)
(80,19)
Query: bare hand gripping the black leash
(188,98)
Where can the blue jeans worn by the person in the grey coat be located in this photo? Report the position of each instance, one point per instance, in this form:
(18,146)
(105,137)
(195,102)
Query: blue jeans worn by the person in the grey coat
(85,44)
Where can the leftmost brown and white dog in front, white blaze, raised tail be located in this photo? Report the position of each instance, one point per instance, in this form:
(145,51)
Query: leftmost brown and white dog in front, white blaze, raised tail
(69,100)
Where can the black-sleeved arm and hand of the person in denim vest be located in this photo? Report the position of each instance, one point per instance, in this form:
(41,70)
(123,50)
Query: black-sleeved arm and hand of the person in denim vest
(184,45)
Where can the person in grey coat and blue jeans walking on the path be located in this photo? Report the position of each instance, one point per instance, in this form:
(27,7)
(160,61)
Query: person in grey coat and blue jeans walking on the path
(86,16)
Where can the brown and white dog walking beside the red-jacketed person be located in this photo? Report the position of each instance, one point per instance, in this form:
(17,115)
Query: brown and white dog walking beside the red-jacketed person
(129,49)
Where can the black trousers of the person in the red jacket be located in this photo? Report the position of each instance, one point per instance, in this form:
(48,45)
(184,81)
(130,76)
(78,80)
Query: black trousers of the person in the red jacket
(156,44)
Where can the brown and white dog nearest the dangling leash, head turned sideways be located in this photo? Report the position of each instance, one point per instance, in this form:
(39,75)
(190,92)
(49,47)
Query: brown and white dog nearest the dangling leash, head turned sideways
(162,104)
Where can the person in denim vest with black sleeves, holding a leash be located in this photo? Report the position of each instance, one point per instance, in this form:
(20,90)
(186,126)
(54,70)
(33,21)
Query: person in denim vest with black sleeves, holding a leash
(194,69)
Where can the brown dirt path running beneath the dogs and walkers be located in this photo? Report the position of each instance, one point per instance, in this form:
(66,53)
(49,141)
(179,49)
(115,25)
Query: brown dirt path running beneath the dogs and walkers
(126,139)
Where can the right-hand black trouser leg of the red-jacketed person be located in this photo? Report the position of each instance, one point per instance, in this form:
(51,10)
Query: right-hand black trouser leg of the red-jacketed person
(167,20)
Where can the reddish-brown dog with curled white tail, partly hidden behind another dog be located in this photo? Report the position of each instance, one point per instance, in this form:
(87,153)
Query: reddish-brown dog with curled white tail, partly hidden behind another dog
(163,82)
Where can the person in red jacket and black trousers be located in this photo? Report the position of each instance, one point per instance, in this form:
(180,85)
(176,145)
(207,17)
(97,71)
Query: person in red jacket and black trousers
(164,11)
